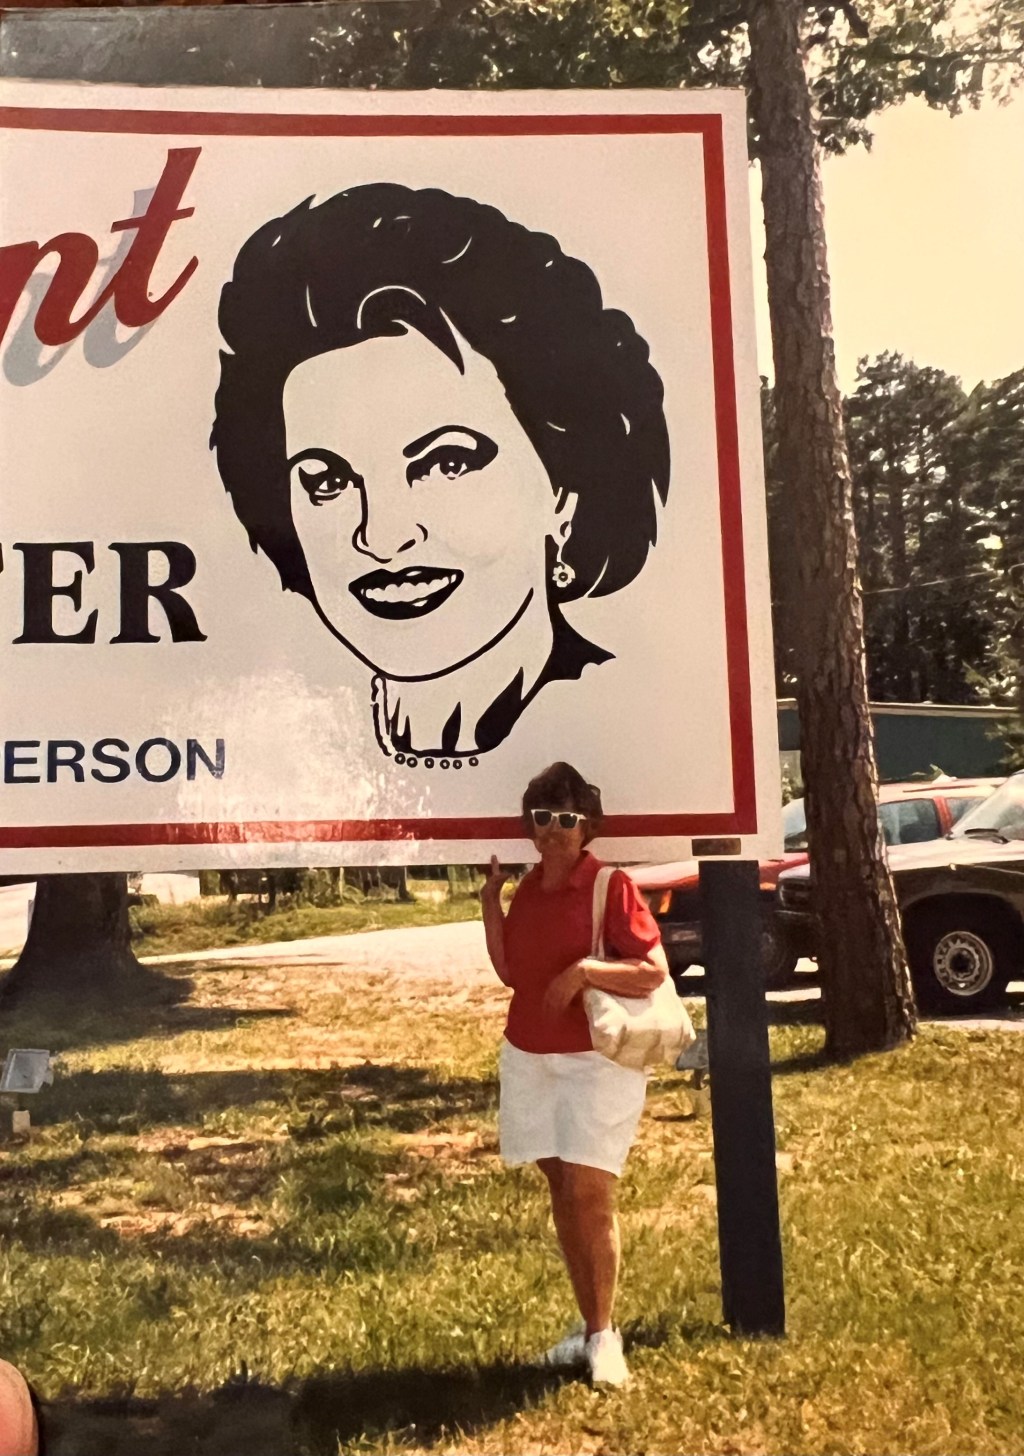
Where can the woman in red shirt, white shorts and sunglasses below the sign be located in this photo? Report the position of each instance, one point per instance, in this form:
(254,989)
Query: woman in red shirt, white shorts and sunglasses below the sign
(564,1106)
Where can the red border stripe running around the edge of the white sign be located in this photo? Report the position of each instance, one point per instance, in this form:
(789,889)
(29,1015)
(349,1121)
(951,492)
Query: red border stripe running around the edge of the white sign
(744,819)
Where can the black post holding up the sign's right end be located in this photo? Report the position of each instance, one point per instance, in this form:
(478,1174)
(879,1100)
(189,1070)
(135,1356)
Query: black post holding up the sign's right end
(742,1119)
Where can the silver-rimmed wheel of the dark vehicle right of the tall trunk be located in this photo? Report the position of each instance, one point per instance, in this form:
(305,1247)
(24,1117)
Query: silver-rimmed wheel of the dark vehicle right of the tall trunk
(961,960)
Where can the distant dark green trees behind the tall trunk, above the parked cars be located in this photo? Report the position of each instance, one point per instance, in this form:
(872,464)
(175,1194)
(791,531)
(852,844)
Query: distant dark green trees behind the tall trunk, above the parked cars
(939,502)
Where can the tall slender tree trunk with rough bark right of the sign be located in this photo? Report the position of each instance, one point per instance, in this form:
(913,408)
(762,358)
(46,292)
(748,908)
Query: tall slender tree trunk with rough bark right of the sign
(869,1002)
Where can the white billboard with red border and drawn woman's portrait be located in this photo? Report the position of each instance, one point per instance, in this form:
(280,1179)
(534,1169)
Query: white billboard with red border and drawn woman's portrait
(365,454)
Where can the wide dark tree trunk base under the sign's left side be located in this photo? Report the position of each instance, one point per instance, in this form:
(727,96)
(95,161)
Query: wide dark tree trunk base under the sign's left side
(79,944)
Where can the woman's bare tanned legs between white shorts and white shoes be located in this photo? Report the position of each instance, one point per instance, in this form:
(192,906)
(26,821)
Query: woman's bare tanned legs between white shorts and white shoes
(583,1208)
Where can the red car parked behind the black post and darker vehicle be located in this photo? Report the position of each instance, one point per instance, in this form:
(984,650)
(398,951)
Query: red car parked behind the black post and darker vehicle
(910,813)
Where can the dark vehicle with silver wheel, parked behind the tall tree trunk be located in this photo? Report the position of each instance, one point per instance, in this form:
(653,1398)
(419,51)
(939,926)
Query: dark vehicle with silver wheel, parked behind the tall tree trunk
(962,902)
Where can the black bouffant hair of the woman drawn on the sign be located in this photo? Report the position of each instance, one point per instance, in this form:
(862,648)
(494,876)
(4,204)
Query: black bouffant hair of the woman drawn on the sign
(384,258)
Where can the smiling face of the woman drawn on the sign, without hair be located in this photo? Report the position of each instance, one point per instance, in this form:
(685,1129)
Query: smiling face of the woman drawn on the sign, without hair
(419,502)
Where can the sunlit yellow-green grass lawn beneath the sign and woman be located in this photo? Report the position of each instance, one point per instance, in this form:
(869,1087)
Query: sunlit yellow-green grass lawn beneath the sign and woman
(272,1219)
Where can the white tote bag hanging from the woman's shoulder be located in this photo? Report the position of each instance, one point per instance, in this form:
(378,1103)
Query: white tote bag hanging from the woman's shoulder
(634,1032)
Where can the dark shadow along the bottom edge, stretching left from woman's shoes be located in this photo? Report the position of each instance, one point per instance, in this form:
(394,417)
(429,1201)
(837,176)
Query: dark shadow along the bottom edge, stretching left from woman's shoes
(406,1407)
